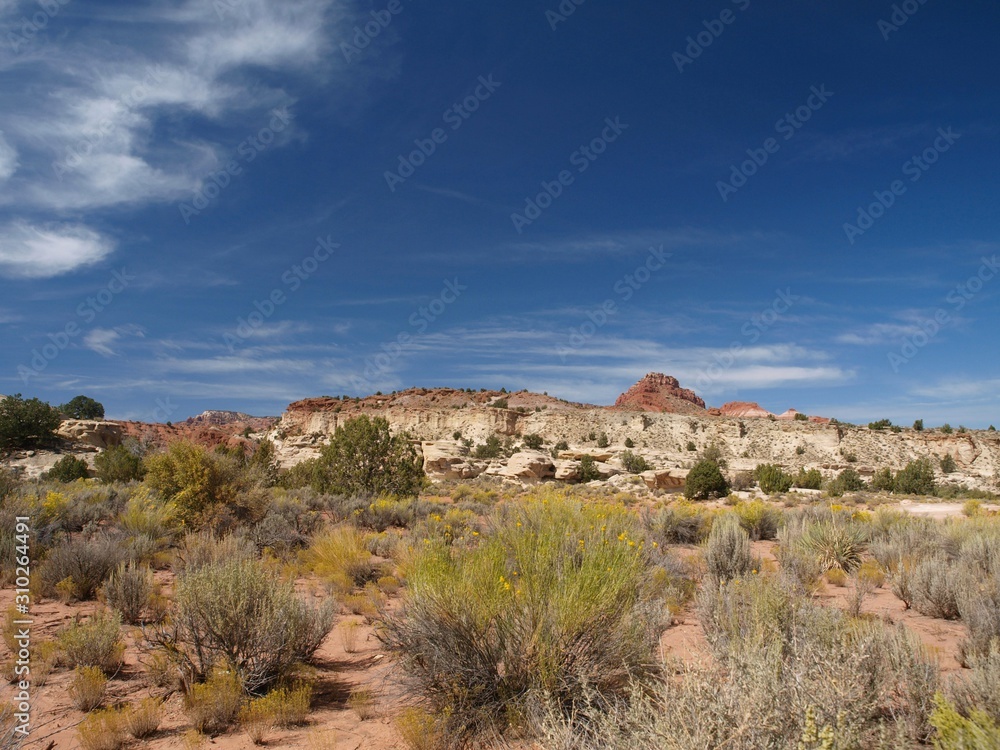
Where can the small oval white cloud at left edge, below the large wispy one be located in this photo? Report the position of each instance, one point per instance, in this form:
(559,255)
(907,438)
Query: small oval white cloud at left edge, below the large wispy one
(42,251)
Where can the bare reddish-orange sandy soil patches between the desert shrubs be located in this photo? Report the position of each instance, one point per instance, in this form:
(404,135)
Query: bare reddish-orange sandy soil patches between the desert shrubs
(332,724)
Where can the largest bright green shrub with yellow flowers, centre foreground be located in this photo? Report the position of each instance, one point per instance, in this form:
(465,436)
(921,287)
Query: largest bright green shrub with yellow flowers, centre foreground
(550,603)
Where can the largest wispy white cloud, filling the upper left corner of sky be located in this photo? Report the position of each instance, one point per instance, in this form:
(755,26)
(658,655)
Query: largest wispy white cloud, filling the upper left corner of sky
(94,141)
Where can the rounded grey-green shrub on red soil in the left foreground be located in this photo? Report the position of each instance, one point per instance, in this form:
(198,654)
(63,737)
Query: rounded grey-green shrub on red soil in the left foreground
(236,614)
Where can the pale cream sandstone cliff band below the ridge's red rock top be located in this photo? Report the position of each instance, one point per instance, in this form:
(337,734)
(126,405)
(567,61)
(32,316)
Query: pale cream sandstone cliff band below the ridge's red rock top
(662,439)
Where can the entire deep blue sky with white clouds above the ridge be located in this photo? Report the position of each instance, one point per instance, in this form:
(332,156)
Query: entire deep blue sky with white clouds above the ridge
(234,204)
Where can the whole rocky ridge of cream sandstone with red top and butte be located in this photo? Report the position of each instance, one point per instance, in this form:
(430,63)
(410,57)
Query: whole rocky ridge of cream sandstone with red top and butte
(443,422)
